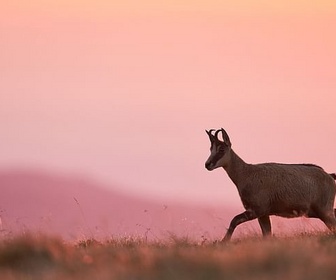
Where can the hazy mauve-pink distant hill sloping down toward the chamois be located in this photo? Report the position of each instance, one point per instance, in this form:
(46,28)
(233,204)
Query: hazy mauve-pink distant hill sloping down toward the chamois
(75,207)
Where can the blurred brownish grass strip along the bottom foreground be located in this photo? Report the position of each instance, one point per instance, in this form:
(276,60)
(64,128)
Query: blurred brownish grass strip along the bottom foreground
(307,256)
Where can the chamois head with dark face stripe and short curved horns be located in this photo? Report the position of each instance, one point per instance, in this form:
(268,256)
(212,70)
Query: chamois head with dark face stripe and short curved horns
(220,149)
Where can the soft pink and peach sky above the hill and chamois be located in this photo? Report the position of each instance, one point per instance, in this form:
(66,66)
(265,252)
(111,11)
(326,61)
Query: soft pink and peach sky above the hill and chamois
(123,92)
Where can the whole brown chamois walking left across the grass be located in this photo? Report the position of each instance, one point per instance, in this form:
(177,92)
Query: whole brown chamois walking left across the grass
(286,190)
